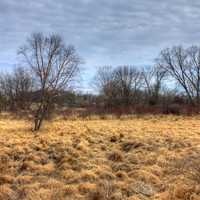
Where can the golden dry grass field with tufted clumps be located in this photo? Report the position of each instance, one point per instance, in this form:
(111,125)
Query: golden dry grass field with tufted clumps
(137,158)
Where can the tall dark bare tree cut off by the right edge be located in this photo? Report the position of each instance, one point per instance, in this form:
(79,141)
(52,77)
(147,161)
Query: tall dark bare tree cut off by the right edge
(184,66)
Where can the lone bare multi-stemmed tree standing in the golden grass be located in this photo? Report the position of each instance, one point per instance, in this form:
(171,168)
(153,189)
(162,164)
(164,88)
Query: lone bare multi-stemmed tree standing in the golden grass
(53,66)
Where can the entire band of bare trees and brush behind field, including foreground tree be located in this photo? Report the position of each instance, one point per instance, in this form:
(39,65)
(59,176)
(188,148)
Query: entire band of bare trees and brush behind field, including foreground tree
(171,85)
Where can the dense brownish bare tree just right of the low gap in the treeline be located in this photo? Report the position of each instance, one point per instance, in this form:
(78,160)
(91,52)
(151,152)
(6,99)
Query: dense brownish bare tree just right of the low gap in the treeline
(119,85)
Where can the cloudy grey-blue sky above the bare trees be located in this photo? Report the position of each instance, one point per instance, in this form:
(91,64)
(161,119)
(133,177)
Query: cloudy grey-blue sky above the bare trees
(104,32)
